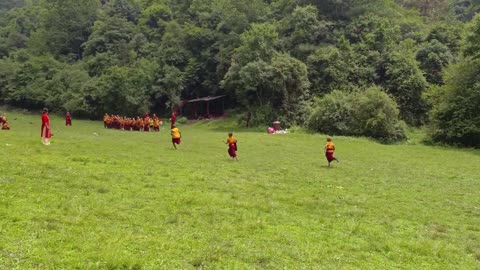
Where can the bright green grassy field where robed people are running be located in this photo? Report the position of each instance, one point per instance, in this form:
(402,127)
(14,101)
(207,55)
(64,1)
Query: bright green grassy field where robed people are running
(108,199)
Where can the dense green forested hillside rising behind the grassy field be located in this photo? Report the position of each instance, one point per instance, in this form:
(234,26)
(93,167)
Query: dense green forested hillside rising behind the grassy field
(353,67)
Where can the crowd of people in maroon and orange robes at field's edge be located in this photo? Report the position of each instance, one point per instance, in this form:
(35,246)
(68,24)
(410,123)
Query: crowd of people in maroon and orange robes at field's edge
(146,123)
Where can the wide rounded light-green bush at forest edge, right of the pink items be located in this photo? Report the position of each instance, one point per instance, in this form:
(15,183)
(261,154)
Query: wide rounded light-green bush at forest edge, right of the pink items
(369,113)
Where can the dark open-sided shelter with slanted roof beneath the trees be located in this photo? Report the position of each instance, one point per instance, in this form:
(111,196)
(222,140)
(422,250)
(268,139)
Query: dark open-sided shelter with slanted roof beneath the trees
(204,108)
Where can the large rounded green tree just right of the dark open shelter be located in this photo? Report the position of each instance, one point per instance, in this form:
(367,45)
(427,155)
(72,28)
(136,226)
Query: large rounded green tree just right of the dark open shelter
(271,90)
